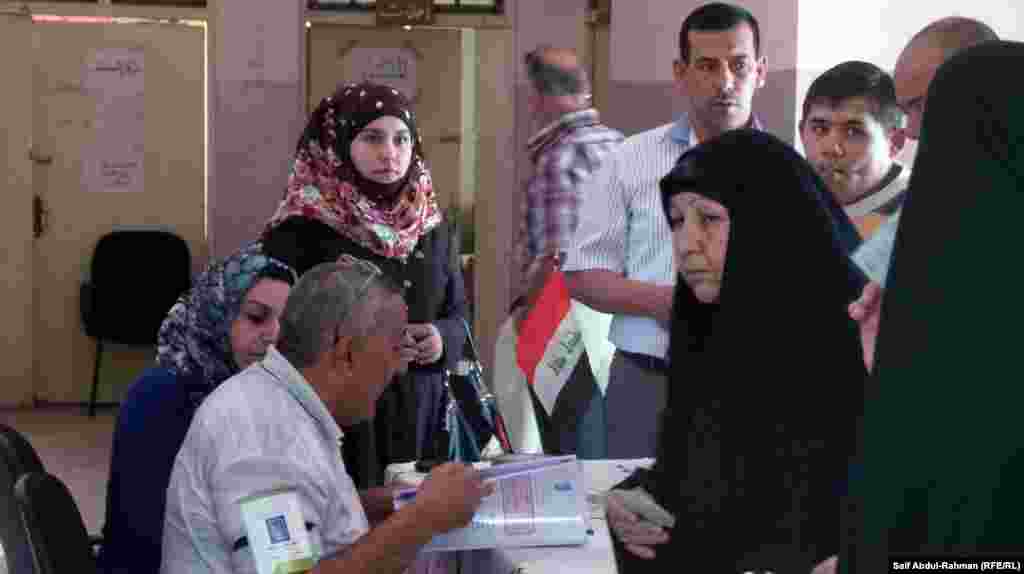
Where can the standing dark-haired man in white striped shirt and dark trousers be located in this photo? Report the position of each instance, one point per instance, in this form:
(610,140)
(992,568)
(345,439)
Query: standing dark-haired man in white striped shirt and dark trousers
(621,262)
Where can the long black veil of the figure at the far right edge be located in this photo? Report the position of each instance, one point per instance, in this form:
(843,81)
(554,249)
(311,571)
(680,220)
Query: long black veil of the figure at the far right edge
(944,455)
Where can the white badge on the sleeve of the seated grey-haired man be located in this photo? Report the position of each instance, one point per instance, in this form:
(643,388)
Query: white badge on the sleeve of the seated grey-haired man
(277,533)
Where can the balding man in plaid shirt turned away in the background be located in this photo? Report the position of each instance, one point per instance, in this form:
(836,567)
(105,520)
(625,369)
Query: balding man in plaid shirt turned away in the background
(569,149)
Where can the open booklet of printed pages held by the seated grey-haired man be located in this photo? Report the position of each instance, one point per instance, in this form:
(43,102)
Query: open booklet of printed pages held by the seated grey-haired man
(536,504)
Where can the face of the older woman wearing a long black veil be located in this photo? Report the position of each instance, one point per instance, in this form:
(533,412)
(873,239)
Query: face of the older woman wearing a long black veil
(700,239)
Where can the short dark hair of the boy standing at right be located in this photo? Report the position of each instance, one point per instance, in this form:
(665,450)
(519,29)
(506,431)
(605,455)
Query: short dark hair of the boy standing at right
(858,79)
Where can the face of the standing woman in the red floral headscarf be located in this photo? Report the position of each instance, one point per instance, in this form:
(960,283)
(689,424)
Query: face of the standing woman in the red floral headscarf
(383,150)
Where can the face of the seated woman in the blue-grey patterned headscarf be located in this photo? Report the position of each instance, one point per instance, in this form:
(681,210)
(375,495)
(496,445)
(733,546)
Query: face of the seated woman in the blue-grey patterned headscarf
(258,326)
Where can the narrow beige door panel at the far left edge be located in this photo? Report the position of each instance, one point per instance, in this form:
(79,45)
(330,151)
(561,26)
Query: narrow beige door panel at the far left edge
(16,217)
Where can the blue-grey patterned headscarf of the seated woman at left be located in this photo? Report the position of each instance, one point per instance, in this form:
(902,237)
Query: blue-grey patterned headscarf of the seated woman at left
(195,340)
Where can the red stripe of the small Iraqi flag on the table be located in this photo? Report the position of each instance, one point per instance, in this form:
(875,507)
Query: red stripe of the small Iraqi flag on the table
(541,324)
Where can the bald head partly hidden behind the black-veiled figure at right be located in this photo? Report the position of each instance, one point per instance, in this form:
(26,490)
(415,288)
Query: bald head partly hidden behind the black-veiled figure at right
(922,58)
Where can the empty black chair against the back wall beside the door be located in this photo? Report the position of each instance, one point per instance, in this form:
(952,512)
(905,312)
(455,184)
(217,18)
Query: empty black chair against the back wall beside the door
(136,278)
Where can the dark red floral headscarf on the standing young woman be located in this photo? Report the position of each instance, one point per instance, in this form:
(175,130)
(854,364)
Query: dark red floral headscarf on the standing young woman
(325,186)
